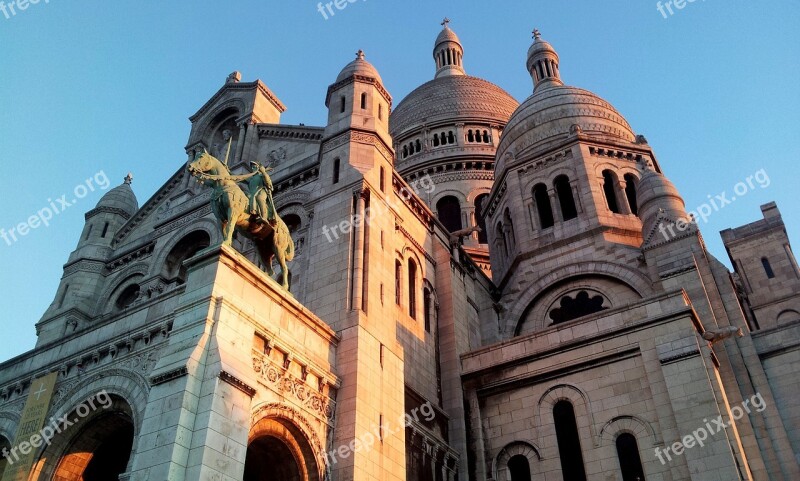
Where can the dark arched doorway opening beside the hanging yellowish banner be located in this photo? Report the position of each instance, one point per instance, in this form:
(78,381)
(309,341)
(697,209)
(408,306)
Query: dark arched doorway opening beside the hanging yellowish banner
(96,448)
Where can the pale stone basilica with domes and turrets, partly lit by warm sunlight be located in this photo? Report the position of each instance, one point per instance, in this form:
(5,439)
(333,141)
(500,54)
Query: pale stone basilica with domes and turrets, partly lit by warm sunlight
(478,289)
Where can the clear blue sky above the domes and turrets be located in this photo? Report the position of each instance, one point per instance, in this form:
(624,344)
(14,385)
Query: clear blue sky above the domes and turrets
(91,86)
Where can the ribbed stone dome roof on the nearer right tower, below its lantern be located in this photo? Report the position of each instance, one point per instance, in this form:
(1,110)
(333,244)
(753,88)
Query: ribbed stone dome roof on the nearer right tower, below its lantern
(550,114)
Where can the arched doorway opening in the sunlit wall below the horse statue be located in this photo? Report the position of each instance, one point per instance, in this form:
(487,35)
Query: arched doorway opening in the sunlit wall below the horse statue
(279,450)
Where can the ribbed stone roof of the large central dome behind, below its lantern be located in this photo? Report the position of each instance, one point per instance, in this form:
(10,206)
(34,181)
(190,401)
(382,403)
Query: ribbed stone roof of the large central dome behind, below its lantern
(452,98)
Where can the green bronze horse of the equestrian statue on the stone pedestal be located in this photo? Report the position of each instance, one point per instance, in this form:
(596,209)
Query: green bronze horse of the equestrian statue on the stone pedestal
(230,206)
